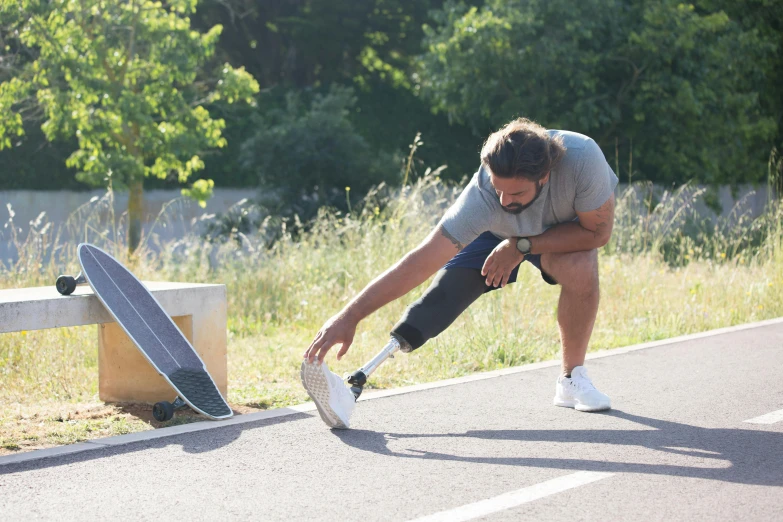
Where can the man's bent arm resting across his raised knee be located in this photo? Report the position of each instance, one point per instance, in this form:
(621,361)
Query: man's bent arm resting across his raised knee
(592,231)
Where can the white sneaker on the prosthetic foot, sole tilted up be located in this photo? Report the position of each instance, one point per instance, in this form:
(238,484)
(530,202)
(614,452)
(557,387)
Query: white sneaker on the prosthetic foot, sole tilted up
(335,402)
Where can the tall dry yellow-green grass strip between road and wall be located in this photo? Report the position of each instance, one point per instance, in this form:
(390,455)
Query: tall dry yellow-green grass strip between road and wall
(666,272)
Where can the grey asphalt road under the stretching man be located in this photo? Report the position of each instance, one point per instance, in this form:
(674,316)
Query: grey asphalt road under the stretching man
(675,446)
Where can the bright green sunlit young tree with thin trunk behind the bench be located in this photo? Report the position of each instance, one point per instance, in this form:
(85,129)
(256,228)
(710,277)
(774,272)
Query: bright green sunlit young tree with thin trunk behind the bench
(128,79)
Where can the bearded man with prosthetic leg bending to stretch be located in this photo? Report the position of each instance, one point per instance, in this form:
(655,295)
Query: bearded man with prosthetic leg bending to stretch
(544,197)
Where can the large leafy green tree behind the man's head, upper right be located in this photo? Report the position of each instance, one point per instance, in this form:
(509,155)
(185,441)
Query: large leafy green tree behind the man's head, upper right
(678,83)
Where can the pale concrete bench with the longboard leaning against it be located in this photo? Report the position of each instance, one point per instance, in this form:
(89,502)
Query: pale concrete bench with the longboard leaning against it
(198,310)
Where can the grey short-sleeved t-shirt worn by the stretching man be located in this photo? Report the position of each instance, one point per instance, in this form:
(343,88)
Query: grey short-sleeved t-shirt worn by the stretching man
(581,182)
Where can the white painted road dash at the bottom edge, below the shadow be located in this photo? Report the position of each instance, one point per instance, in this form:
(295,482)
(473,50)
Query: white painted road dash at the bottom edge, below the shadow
(515,498)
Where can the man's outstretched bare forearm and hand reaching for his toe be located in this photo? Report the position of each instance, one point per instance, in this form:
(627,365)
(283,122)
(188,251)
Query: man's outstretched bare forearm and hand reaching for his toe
(408,273)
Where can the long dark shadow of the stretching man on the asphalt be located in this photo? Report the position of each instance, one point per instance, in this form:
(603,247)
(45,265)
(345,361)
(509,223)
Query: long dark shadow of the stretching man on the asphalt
(744,456)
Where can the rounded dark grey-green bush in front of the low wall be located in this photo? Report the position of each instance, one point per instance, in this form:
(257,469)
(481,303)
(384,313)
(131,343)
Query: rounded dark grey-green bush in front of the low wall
(307,152)
